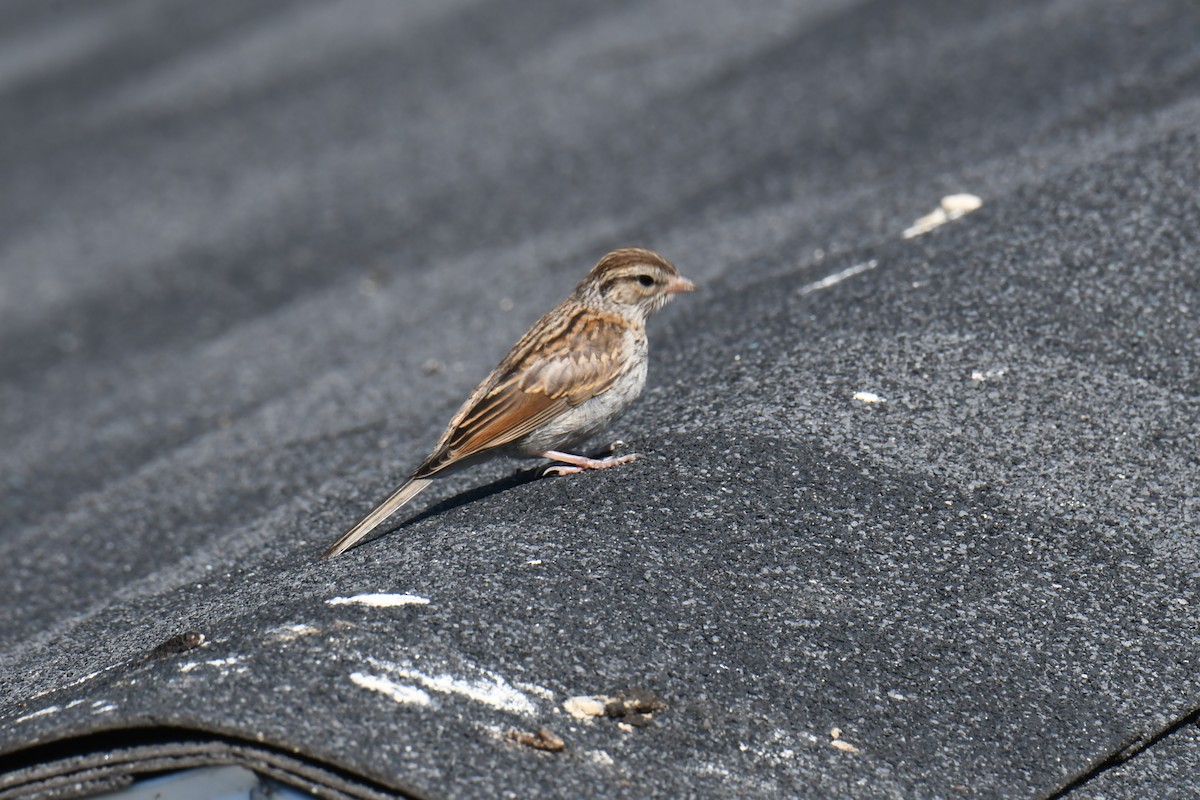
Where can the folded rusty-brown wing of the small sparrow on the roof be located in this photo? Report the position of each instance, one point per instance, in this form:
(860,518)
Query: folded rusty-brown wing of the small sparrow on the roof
(566,359)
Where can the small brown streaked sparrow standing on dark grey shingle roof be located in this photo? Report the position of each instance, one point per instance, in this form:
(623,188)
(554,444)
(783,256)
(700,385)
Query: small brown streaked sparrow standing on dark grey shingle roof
(563,383)
